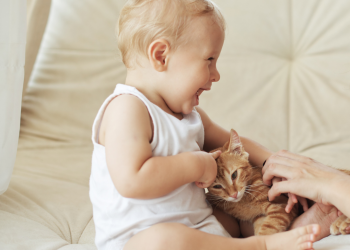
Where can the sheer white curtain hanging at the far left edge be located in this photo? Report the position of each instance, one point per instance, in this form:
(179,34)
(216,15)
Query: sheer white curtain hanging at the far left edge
(12,51)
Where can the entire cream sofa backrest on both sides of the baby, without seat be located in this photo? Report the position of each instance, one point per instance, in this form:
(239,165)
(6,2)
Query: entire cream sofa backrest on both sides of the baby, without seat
(285,75)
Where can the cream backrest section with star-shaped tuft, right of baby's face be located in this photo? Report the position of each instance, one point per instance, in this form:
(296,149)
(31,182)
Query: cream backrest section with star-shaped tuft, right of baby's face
(285,76)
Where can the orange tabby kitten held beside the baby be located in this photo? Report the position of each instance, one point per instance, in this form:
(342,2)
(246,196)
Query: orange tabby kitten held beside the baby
(239,191)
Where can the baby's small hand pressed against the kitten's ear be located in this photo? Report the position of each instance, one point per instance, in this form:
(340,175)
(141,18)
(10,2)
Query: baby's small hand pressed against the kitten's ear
(210,169)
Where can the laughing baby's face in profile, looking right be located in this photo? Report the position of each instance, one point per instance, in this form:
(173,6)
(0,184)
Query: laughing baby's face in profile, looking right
(192,67)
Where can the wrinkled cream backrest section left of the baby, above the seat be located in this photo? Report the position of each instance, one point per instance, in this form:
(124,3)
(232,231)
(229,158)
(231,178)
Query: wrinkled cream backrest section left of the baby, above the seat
(76,69)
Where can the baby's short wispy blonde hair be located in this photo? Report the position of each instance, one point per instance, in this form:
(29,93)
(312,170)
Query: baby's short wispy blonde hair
(143,21)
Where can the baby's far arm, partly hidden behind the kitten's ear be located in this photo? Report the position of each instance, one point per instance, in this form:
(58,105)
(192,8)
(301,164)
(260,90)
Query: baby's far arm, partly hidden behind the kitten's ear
(216,136)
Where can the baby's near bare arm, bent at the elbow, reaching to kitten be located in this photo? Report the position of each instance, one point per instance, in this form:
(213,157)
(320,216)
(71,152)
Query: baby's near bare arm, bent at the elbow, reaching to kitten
(133,170)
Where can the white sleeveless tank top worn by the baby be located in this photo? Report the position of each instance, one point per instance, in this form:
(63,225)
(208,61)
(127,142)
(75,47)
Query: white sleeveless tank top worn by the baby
(118,218)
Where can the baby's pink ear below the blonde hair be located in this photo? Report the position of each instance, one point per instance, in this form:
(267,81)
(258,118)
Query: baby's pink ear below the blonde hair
(158,54)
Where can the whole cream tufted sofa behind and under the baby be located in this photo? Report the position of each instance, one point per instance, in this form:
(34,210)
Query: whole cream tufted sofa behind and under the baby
(285,82)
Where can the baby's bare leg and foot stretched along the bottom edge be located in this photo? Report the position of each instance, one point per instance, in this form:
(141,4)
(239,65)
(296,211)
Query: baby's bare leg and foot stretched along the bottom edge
(175,236)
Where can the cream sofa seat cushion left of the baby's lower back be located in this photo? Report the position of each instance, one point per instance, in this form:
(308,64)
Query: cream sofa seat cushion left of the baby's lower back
(47,205)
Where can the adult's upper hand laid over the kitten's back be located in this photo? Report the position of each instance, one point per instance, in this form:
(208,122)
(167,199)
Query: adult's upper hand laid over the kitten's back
(303,176)
